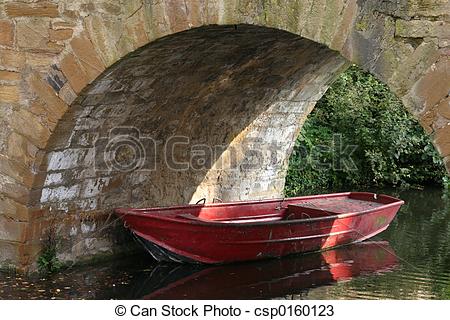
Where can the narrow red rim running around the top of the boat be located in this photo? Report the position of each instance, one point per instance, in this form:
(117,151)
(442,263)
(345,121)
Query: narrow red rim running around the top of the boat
(123,212)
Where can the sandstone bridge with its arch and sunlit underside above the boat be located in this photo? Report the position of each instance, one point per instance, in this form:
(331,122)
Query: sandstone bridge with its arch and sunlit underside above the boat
(157,102)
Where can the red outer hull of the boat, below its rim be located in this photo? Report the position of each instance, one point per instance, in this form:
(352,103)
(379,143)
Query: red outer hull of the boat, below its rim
(183,240)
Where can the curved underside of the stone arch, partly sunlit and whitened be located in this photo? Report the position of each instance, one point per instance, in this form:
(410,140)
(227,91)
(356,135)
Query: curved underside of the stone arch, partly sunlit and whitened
(215,110)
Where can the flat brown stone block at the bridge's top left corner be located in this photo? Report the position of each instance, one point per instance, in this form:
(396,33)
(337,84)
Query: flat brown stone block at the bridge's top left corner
(40,9)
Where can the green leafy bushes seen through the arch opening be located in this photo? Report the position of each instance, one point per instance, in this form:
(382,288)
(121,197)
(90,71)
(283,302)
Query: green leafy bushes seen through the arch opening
(360,135)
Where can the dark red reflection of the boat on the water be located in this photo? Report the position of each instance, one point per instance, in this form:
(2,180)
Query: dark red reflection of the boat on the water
(267,278)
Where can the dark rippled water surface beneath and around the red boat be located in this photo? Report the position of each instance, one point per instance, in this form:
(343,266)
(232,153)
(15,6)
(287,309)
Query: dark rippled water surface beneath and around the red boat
(410,260)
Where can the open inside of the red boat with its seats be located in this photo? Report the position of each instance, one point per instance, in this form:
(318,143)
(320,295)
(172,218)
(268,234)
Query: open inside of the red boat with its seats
(272,210)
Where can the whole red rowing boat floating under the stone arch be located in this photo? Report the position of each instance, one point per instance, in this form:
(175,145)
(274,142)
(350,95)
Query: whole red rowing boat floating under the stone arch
(250,230)
